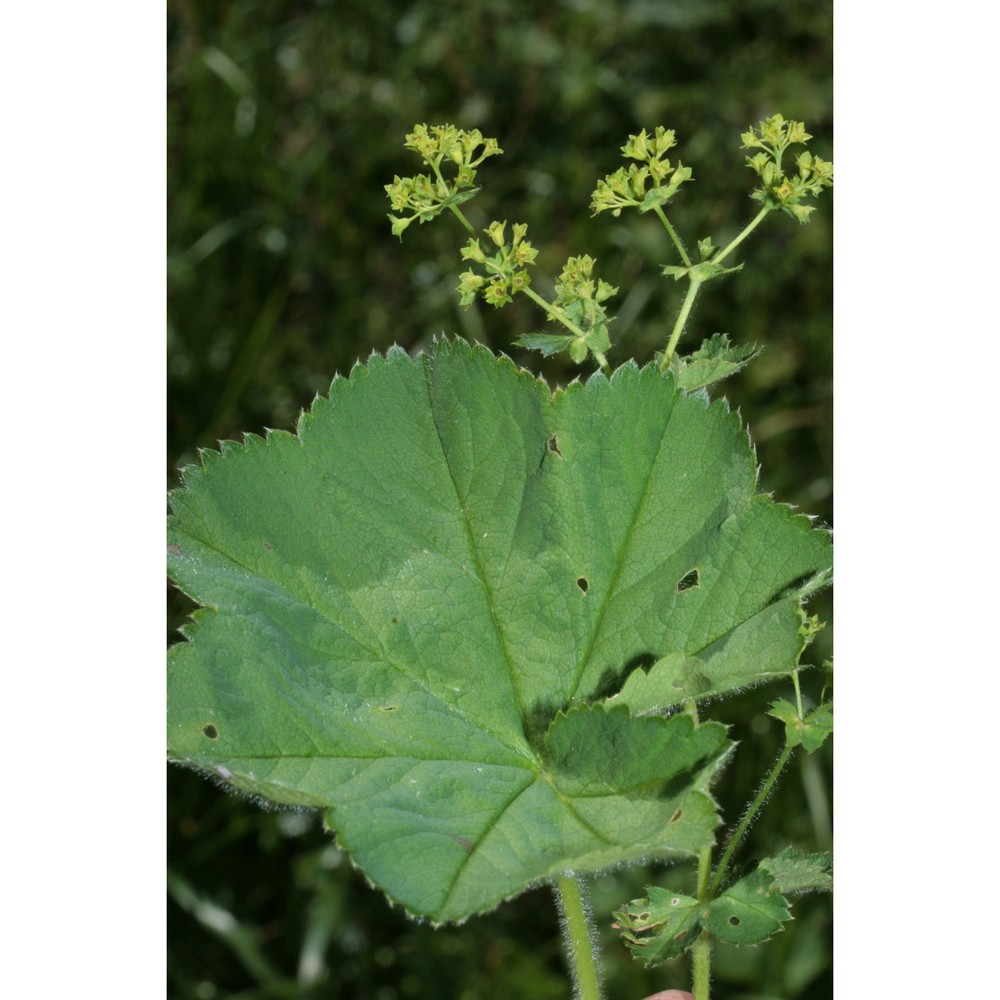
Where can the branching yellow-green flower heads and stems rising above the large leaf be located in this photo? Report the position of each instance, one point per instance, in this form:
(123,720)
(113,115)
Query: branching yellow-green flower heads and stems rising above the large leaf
(501,268)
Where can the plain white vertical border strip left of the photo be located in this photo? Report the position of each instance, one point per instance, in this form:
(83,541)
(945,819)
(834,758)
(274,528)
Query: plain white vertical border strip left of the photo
(82,317)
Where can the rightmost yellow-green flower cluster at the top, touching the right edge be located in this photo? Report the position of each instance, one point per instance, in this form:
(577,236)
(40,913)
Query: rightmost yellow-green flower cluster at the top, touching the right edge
(778,190)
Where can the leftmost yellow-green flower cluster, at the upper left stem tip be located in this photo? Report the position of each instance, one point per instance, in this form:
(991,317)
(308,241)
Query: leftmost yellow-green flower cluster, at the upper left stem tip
(423,196)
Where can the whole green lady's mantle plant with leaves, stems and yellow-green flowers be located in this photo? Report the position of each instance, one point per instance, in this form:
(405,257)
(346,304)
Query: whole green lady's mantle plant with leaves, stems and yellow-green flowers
(476,621)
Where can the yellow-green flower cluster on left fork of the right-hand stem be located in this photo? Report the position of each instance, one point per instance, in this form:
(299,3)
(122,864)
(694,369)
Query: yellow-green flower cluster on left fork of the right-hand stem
(625,188)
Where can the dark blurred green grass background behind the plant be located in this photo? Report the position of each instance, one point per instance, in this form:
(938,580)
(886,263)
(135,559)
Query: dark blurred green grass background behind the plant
(285,120)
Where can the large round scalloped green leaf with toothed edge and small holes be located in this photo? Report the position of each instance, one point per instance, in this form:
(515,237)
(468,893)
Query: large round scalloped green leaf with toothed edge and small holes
(430,613)
